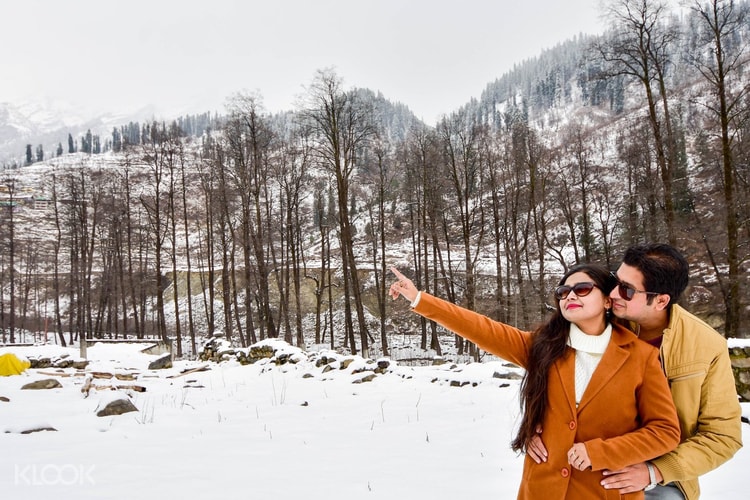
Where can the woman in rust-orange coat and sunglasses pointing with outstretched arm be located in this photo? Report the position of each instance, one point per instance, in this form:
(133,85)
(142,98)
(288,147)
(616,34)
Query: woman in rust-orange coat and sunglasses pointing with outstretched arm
(597,392)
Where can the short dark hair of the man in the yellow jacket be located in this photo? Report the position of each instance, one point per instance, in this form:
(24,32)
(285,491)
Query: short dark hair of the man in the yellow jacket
(664,268)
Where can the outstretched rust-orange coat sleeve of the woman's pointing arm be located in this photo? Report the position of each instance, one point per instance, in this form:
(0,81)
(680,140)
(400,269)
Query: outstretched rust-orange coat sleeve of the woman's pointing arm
(500,339)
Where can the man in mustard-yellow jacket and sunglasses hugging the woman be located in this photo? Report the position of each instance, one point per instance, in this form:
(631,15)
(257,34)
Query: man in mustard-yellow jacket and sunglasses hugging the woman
(696,361)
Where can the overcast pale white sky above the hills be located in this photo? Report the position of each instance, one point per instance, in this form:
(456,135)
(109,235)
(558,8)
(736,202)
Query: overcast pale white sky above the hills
(189,55)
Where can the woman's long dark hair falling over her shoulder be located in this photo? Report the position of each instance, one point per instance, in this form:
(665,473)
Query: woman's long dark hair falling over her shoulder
(548,344)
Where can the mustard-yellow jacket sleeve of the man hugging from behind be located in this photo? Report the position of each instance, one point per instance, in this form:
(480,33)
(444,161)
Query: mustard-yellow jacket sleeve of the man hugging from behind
(713,435)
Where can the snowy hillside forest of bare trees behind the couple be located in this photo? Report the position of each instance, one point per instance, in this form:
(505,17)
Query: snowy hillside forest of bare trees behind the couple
(253,225)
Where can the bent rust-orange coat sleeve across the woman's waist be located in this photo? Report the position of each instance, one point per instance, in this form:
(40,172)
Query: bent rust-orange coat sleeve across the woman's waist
(658,433)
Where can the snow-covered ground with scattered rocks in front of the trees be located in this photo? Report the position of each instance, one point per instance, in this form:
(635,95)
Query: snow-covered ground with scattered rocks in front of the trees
(296,430)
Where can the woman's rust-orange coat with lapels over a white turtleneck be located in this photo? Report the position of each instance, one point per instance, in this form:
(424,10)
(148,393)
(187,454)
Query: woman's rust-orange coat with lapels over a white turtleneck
(626,415)
